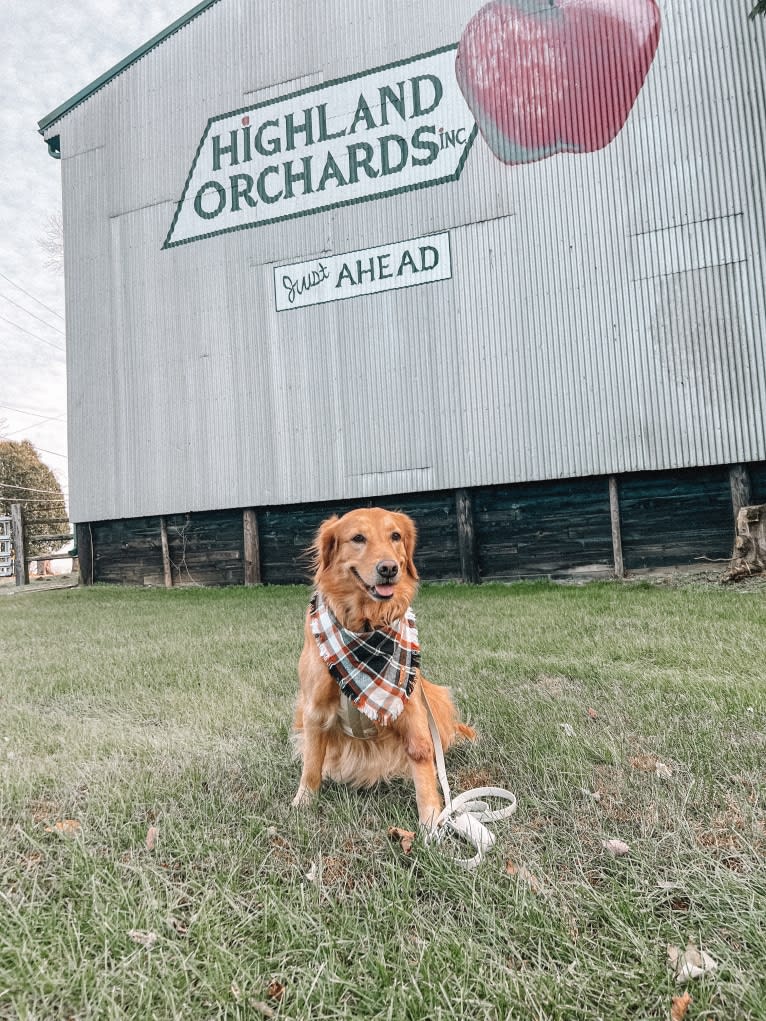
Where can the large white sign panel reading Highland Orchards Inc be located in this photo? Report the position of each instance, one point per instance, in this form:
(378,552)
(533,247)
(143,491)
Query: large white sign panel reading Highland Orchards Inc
(368,136)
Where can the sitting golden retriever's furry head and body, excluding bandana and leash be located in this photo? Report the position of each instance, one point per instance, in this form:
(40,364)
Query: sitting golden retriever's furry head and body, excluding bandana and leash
(366,576)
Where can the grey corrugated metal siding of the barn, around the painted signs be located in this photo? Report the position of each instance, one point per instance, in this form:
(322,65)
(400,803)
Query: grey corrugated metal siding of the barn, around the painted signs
(605,314)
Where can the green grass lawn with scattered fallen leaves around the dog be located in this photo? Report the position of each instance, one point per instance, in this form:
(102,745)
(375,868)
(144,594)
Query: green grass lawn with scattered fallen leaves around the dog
(125,711)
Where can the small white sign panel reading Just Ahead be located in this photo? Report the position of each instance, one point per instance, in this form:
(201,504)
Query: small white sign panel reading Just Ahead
(370,271)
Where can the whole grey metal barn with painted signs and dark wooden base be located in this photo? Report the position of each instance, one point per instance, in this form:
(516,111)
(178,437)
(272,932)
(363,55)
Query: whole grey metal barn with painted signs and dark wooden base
(326,256)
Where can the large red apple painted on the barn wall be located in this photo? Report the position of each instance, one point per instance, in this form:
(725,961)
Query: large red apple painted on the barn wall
(544,77)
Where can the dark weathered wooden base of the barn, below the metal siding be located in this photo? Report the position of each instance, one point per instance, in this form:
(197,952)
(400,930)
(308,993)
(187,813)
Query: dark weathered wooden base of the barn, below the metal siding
(594,527)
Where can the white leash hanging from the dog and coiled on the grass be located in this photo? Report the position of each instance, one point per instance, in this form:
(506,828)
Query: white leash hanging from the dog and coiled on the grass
(465,816)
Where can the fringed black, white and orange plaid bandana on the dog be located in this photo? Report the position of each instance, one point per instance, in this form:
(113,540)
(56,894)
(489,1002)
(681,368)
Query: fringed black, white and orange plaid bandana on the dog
(375,670)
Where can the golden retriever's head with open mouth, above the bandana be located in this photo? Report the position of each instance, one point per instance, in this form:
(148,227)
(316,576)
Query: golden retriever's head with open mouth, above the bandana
(364,566)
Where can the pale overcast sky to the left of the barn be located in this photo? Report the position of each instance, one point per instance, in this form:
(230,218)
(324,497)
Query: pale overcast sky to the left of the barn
(52,50)
